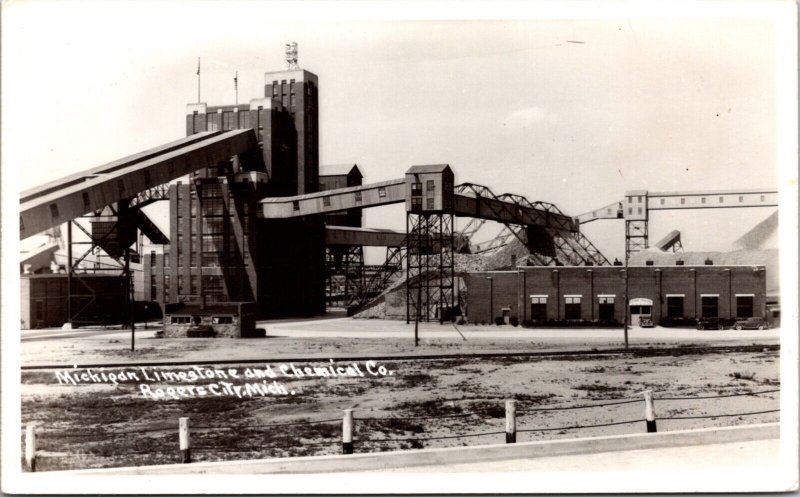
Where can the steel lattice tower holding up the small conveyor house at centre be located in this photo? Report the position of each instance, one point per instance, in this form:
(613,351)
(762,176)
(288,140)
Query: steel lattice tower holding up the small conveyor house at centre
(430,267)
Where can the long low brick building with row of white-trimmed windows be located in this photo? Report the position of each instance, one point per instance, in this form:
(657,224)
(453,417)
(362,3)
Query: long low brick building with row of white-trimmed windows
(567,293)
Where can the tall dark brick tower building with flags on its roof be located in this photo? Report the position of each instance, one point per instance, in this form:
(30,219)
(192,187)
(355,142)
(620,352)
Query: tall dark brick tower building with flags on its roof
(220,251)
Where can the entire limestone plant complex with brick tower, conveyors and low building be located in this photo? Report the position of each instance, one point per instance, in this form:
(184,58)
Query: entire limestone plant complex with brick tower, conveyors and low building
(258,230)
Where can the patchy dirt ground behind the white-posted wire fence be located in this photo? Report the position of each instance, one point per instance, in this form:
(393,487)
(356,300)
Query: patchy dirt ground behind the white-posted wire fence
(104,425)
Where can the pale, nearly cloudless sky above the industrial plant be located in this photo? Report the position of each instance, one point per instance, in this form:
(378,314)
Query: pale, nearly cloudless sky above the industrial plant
(572,108)
